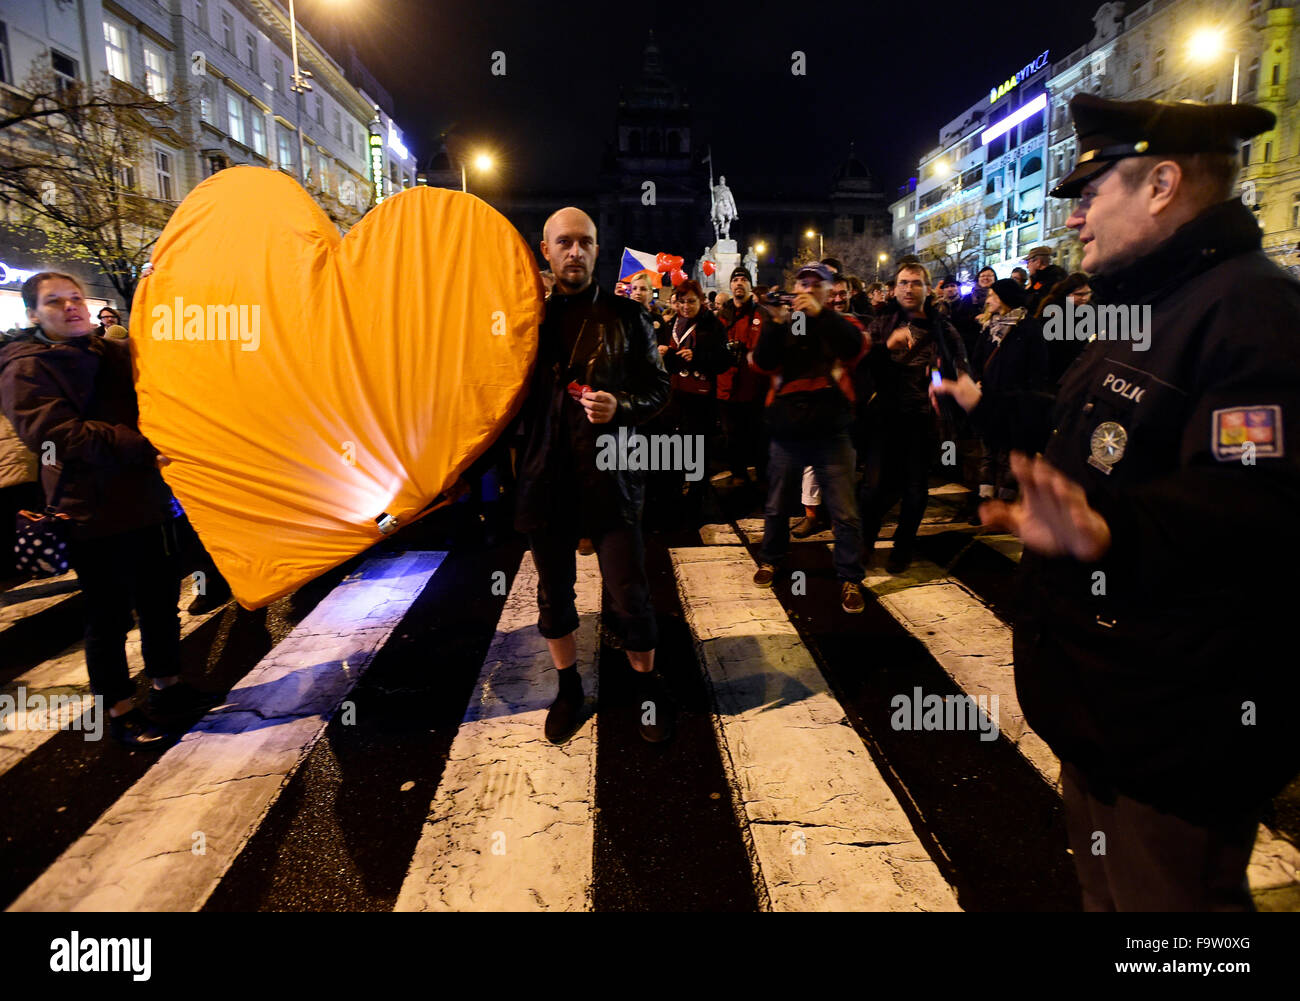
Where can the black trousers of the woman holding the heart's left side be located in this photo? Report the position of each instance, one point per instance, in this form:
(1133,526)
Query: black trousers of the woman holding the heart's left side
(119,574)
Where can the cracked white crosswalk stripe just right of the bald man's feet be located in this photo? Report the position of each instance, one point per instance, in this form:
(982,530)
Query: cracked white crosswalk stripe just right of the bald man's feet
(825,830)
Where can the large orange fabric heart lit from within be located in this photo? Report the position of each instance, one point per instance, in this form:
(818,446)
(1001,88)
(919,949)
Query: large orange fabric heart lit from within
(306,384)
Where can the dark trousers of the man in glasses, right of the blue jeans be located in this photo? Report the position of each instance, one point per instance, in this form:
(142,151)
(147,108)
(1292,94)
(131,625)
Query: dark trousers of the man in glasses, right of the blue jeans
(896,470)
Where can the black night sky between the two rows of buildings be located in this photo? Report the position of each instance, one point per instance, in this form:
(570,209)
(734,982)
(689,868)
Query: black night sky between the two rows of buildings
(882,77)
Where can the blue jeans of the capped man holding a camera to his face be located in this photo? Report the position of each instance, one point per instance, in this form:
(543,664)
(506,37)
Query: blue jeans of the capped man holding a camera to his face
(833,463)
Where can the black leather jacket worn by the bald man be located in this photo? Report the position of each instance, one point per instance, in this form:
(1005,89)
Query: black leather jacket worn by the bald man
(617,352)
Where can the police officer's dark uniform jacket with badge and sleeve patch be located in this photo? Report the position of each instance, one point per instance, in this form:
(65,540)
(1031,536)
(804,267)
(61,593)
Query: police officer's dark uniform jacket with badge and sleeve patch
(1165,670)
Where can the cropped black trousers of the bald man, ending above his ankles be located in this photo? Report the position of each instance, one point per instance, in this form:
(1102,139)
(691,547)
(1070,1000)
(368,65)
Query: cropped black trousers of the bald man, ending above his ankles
(623,569)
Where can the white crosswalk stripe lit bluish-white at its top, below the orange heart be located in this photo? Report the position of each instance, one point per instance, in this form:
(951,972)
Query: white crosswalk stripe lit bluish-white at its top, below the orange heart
(170,839)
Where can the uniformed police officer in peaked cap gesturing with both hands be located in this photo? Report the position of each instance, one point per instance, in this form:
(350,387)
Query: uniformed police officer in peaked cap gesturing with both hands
(1154,647)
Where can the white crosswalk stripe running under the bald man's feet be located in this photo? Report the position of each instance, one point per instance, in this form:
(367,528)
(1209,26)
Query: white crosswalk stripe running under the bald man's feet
(512,824)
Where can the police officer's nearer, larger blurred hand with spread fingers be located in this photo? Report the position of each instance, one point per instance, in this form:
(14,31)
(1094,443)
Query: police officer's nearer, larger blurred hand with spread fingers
(1052,517)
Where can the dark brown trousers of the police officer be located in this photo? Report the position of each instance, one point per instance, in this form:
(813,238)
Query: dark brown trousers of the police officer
(1133,857)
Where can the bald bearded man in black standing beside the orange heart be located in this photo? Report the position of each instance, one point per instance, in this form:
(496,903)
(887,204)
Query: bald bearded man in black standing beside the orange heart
(599,372)
